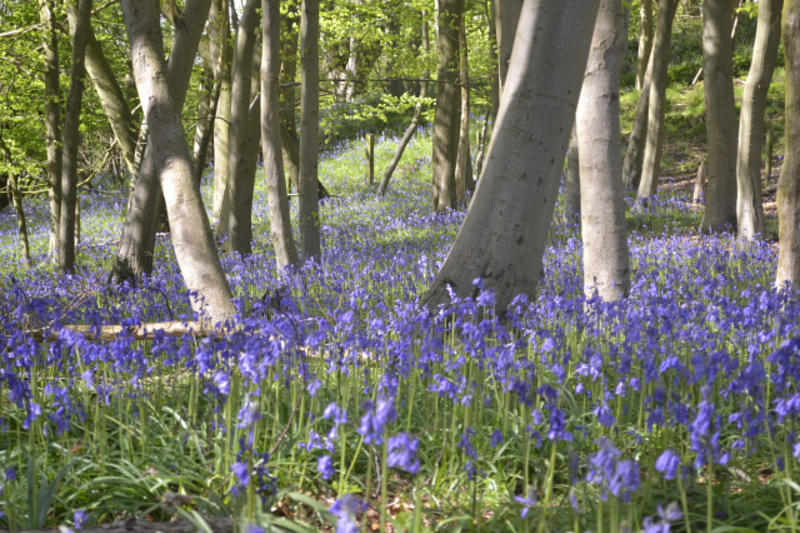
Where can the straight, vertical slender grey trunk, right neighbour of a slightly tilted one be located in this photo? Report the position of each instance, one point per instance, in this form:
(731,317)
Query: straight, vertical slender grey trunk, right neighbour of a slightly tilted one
(309,129)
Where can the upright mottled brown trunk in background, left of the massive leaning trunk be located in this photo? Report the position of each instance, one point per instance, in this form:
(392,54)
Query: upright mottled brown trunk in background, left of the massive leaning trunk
(446,126)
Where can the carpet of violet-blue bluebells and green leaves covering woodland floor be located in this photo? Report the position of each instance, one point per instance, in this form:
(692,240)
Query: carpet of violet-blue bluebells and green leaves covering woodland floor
(341,402)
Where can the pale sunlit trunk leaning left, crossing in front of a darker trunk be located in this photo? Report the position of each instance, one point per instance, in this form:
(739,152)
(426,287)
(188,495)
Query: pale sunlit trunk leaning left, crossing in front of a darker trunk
(191,232)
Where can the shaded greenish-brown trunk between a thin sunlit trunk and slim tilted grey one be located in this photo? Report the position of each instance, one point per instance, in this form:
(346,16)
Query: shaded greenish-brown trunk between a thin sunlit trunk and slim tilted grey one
(243,145)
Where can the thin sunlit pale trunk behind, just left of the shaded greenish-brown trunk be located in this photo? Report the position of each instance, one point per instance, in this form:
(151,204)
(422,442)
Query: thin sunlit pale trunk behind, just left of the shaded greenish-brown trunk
(220,33)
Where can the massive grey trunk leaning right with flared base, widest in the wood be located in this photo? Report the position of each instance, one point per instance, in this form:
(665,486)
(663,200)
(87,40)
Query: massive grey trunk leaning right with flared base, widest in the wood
(503,236)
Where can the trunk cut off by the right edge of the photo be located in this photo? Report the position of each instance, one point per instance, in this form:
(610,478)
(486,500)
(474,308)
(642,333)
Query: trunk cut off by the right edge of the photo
(788,274)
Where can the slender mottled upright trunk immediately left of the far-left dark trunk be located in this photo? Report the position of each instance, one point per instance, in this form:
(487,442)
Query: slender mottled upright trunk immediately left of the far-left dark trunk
(52,121)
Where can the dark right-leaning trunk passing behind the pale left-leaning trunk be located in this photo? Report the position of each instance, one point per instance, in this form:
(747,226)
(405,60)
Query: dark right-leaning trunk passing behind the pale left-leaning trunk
(135,254)
